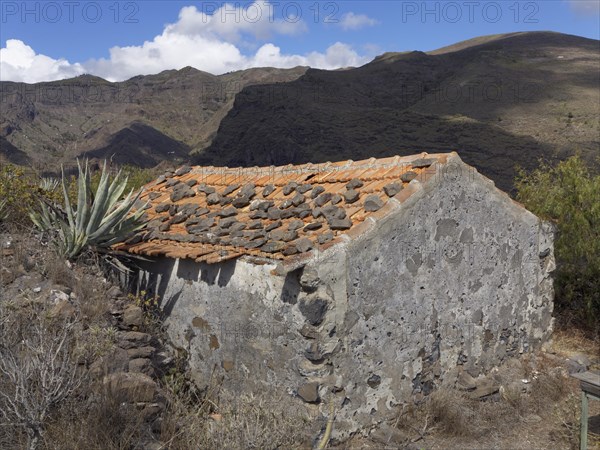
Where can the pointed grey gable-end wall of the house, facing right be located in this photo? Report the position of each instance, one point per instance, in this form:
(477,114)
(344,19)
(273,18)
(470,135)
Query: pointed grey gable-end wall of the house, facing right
(457,278)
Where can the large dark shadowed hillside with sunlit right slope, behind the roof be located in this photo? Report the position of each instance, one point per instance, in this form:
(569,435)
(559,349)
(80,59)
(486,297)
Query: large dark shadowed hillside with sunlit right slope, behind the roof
(497,100)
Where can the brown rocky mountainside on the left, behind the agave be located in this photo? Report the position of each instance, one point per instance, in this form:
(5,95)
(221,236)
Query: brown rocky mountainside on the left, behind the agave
(142,121)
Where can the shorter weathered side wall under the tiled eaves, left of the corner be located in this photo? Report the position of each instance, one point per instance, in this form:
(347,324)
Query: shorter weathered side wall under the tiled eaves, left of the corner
(246,330)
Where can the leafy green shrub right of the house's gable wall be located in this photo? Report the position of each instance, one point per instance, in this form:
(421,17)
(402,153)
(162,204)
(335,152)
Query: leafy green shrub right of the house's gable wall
(569,195)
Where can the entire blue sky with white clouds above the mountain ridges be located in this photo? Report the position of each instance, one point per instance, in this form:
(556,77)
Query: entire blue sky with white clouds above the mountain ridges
(116,40)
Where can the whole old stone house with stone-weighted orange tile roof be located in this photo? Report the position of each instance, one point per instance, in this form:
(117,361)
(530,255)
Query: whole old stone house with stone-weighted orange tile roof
(363,284)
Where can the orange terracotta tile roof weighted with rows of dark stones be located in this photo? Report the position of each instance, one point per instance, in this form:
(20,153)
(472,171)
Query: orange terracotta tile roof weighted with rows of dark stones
(197,230)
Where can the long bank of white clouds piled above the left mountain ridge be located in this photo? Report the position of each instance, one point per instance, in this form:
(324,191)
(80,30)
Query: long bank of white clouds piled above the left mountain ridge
(208,42)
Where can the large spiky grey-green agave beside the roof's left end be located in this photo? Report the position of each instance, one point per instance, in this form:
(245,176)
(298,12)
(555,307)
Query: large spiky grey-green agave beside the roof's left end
(100,219)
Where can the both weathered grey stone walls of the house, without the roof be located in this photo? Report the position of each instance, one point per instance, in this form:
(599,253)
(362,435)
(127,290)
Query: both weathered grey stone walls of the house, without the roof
(454,278)
